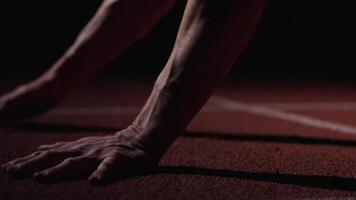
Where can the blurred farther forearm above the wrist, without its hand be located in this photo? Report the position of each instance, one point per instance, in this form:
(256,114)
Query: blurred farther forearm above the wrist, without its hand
(116,25)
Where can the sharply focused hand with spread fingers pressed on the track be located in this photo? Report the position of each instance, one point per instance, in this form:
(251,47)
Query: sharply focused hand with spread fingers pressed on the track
(101,157)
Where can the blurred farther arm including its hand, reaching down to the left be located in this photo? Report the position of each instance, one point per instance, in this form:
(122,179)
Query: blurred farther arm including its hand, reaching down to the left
(115,26)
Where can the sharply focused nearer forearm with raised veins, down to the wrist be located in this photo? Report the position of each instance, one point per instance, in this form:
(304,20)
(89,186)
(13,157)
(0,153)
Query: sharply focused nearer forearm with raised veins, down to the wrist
(210,40)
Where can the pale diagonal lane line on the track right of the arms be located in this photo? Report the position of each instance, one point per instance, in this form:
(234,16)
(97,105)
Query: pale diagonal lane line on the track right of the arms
(279,114)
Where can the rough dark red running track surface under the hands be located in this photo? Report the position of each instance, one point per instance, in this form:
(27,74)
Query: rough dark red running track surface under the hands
(223,155)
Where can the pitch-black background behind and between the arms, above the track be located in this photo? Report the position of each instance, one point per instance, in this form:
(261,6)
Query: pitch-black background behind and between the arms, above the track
(306,38)
